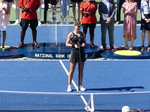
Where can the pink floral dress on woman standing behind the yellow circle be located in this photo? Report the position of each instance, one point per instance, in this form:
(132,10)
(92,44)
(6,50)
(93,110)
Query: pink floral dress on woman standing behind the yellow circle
(130,20)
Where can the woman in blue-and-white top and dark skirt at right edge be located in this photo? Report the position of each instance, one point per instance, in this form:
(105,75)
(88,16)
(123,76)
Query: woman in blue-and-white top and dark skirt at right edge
(145,22)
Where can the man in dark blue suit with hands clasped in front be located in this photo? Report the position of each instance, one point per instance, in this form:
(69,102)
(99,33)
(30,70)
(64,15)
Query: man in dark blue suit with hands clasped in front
(107,11)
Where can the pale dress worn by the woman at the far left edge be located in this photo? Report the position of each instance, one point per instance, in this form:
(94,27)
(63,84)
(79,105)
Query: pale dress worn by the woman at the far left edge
(3,17)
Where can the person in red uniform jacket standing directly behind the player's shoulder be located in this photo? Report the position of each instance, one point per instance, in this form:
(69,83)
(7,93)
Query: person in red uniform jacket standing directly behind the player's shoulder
(88,20)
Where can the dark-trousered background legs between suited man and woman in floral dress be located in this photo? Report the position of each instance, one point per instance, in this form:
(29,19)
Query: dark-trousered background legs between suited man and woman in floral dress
(119,6)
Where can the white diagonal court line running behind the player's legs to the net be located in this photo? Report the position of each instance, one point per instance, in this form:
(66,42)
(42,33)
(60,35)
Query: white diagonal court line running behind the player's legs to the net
(82,97)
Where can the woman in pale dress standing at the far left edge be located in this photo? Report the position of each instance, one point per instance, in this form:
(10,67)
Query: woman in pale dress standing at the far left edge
(4,18)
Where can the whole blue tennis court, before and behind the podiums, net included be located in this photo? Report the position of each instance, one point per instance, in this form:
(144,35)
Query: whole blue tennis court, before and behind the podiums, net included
(40,85)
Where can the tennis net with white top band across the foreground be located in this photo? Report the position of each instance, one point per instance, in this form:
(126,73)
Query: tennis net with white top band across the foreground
(50,101)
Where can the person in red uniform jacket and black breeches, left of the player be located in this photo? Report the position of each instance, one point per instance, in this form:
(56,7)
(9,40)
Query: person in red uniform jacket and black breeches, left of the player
(28,17)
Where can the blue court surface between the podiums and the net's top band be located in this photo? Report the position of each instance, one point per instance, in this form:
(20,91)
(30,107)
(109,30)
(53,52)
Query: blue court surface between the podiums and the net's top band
(51,76)
